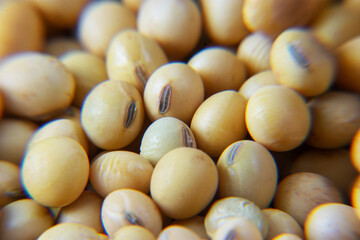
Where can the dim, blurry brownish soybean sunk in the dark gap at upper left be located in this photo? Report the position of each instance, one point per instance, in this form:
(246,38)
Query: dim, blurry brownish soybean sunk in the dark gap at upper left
(60,45)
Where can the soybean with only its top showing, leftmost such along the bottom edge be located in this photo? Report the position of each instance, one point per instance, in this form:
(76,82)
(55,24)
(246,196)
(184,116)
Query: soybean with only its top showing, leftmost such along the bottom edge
(66,231)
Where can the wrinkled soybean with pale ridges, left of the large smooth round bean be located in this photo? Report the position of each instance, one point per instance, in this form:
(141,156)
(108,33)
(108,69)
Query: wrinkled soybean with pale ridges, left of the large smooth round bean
(114,170)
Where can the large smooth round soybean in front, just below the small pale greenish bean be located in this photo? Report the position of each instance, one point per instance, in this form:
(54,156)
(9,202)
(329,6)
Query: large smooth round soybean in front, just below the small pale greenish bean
(184,182)
